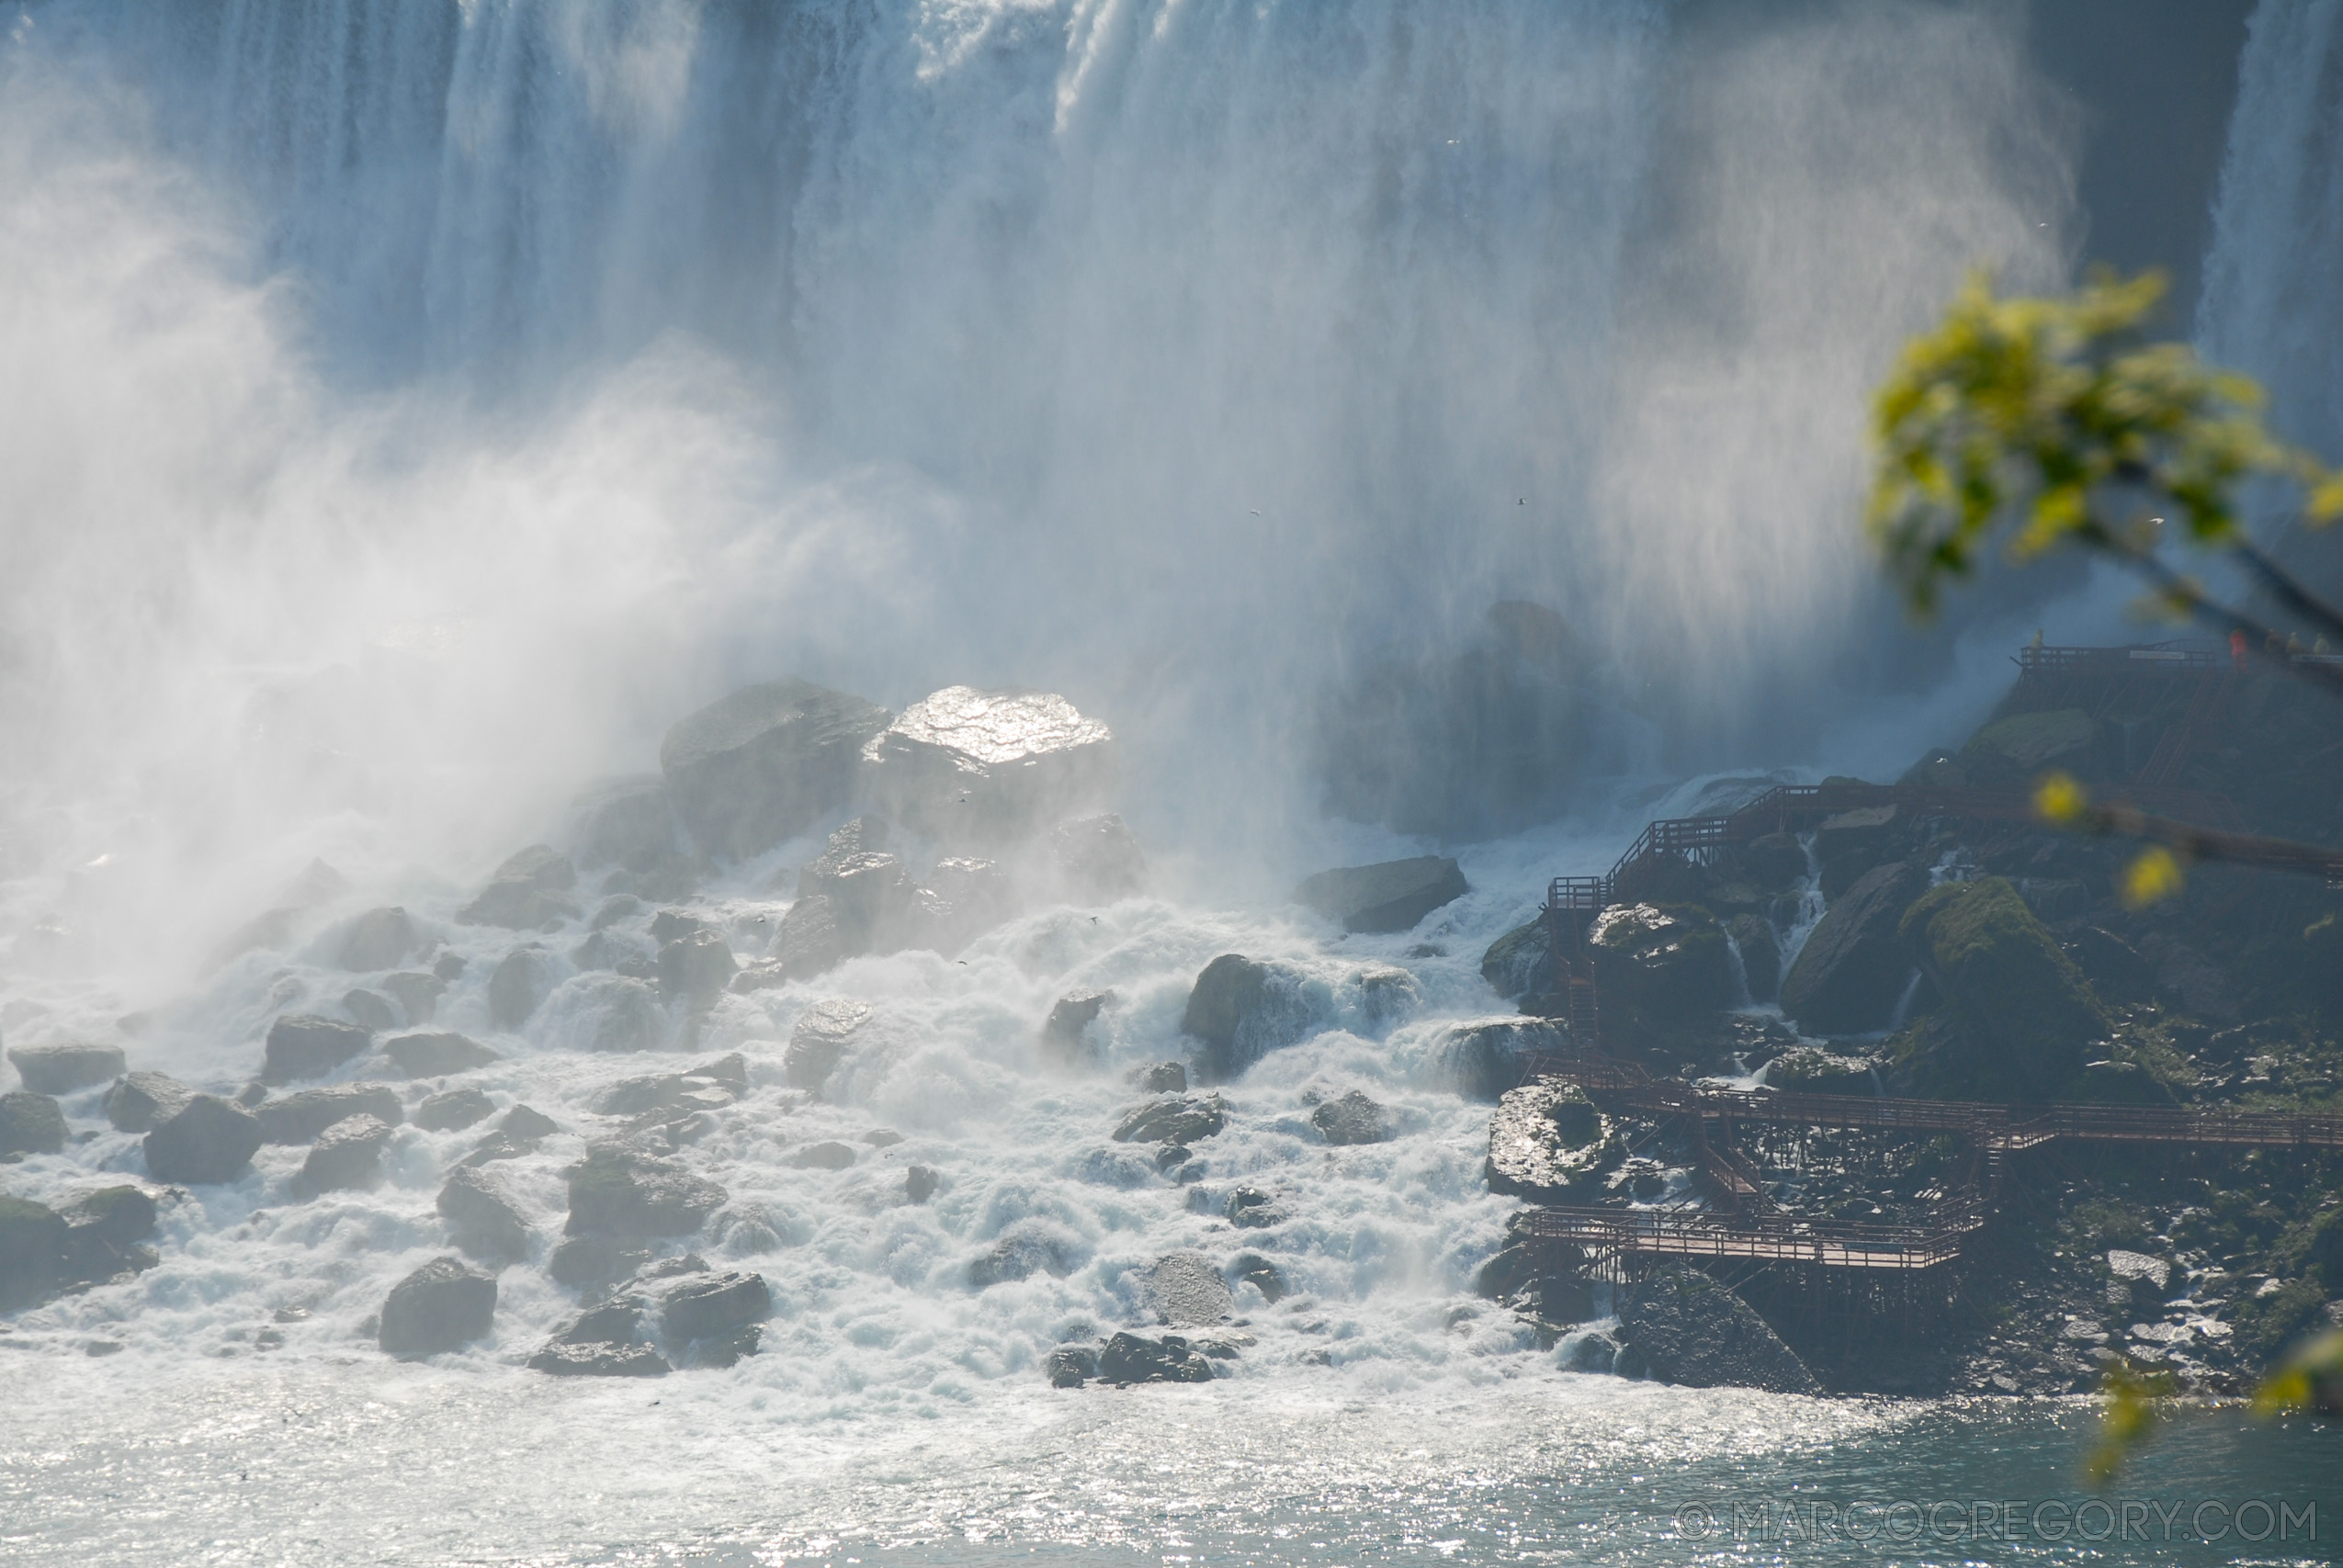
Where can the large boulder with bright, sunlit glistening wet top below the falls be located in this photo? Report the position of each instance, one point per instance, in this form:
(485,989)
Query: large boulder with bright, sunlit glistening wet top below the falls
(990,768)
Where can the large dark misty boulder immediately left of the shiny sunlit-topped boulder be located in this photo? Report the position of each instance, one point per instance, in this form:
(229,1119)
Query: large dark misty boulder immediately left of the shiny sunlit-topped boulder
(767,763)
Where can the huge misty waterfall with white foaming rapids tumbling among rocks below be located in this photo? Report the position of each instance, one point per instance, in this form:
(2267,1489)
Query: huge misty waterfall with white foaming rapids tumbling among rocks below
(416,407)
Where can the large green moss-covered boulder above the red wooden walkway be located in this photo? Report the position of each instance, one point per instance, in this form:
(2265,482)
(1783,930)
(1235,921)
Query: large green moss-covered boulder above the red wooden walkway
(2018,1002)
